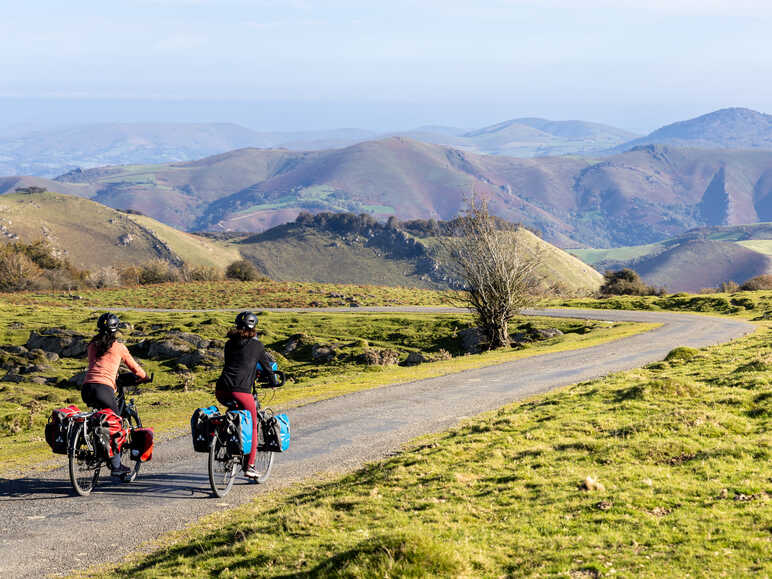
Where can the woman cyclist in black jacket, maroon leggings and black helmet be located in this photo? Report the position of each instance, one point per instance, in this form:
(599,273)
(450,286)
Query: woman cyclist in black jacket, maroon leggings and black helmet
(242,353)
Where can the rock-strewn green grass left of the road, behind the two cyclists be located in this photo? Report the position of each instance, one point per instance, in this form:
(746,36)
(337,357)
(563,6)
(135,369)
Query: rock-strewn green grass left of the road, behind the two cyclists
(167,406)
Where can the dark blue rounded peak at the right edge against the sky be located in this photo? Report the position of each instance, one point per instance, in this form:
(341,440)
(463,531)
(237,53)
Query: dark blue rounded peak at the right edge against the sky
(731,128)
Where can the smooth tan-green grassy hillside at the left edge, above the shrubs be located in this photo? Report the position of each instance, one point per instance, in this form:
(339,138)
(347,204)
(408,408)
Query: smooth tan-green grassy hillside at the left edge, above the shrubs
(91,235)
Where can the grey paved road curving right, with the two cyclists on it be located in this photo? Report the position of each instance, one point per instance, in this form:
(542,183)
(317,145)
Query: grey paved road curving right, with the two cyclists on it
(44,529)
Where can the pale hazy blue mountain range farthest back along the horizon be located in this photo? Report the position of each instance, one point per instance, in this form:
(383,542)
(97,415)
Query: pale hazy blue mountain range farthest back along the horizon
(48,153)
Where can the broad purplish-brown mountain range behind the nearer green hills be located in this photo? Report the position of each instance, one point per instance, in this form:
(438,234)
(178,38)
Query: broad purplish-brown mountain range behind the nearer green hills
(641,196)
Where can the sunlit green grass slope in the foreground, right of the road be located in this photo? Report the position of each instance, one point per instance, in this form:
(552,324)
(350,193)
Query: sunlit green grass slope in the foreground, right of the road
(656,472)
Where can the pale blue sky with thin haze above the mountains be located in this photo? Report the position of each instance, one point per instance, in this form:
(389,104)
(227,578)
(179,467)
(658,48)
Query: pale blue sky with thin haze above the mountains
(392,64)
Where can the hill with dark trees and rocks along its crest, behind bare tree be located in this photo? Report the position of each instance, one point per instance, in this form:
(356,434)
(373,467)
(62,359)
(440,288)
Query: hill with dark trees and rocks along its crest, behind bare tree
(357,250)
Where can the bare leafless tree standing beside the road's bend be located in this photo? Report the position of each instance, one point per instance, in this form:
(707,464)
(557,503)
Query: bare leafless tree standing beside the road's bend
(498,270)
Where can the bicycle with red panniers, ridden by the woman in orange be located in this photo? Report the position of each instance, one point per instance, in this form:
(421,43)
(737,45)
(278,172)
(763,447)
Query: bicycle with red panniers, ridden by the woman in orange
(84,460)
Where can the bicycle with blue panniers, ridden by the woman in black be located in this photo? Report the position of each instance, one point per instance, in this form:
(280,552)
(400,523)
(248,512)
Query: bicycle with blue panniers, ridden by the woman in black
(225,457)
